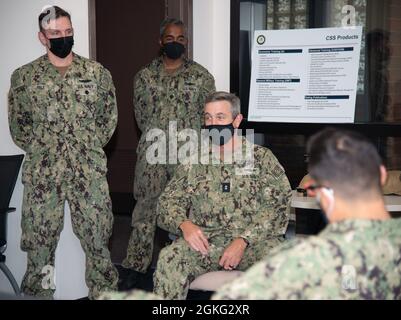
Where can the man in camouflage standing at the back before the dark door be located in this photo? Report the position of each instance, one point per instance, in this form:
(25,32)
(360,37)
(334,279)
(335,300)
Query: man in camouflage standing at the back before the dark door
(170,89)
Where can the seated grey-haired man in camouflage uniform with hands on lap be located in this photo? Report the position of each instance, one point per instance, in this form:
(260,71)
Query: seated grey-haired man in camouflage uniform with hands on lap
(237,213)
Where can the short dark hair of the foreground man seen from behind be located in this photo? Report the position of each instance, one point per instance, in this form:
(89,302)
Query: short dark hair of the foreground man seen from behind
(345,161)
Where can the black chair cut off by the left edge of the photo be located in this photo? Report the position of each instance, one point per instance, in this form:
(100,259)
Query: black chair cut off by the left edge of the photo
(9,169)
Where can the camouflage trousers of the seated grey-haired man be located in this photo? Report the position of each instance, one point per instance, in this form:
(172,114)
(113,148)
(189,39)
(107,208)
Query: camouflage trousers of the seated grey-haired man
(179,265)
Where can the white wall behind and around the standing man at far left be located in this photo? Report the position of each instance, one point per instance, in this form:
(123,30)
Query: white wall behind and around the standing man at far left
(18,30)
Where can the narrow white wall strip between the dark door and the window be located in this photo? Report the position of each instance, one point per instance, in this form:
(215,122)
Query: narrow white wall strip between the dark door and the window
(211,36)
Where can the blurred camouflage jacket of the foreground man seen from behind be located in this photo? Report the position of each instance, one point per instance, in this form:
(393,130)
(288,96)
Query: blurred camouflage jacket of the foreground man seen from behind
(352,259)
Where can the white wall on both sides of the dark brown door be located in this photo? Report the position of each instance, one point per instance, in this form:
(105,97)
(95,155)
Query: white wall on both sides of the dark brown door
(18,30)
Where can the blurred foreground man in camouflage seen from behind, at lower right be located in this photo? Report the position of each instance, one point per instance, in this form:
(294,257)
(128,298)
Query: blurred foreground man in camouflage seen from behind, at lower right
(358,255)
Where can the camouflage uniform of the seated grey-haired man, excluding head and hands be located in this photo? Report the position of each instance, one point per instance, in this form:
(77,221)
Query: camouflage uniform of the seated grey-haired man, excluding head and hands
(256,208)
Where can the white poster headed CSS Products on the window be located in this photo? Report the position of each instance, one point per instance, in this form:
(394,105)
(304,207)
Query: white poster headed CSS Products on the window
(305,75)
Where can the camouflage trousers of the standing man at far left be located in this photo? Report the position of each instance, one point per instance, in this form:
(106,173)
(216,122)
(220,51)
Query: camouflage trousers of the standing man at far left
(42,223)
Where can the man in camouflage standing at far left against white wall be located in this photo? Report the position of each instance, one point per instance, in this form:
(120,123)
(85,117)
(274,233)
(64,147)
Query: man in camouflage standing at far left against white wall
(62,111)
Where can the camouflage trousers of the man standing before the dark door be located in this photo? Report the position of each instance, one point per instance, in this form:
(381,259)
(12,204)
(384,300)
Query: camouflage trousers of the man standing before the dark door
(150,181)
